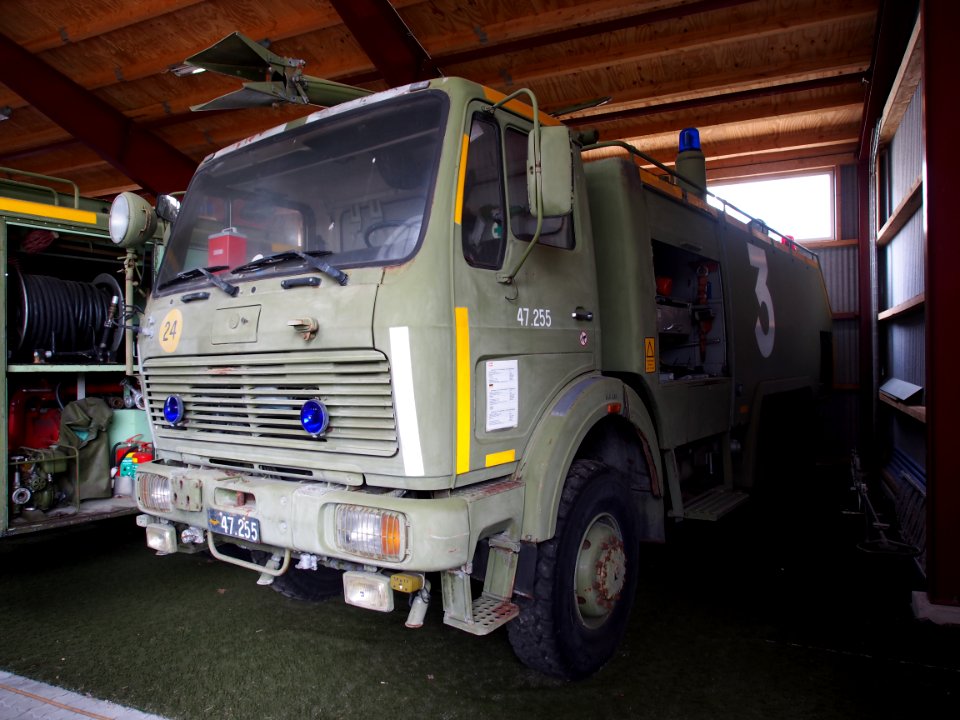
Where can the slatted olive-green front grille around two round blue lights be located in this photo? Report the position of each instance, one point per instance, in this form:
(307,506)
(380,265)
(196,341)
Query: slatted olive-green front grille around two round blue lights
(244,402)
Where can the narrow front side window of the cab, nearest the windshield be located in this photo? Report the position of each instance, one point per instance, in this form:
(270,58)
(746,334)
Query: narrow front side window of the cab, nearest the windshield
(484,241)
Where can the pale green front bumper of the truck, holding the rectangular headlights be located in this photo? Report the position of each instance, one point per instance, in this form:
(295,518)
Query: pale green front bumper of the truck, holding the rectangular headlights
(438,533)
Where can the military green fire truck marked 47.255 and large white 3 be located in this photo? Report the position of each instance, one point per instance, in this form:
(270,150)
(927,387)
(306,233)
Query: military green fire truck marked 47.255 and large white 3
(416,334)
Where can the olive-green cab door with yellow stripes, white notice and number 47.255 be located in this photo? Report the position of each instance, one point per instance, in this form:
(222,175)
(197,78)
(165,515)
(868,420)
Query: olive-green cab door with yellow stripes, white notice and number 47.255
(517,343)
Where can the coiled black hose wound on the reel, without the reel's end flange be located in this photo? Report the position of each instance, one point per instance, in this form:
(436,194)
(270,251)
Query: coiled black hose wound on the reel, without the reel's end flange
(60,316)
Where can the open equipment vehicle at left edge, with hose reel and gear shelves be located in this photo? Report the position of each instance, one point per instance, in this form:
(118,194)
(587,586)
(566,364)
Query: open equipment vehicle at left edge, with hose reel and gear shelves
(70,389)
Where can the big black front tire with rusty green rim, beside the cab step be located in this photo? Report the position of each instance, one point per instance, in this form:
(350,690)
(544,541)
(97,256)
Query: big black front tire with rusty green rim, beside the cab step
(586,577)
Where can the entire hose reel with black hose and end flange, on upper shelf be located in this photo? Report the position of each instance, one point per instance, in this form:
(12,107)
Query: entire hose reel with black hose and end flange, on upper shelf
(51,318)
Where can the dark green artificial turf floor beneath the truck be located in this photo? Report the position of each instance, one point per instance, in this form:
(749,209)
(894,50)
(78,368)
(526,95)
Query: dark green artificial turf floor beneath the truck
(767,614)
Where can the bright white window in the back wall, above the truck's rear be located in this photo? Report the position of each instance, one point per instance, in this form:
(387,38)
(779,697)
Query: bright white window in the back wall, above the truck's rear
(801,206)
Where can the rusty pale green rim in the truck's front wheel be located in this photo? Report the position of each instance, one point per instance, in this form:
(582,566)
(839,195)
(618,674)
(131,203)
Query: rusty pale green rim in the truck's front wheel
(601,571)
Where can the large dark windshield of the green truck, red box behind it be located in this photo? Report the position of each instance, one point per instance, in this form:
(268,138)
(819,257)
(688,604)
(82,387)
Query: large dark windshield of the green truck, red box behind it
(353,188)
